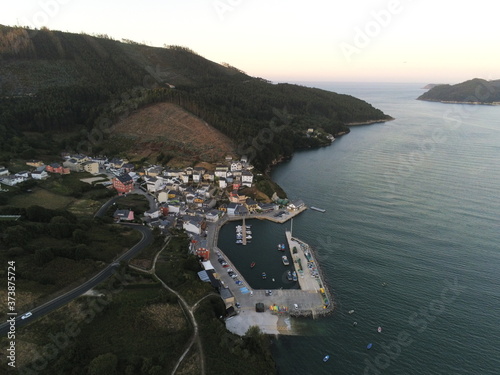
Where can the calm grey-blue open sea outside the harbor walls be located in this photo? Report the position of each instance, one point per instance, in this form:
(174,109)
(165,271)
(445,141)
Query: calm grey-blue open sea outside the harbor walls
(412,204)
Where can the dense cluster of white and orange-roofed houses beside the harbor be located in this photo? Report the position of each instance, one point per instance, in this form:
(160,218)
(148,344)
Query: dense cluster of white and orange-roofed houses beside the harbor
(187,198)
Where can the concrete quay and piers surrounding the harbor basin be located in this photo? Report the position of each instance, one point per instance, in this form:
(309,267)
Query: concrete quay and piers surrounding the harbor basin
(313,299)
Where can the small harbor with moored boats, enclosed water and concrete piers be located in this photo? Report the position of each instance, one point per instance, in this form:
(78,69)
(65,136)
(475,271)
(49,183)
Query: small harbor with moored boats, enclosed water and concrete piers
(291,288)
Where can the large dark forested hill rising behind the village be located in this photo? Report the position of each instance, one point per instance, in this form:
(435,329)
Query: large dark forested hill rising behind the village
(53,81)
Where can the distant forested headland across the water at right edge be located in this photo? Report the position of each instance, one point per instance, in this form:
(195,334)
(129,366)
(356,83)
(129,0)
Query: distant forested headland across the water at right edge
(474,91)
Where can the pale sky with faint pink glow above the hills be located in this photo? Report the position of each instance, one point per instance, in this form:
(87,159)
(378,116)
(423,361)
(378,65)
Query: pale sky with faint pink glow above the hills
(425,41)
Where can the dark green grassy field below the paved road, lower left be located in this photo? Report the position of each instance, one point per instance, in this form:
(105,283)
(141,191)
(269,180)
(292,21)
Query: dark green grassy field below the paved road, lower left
(137,321)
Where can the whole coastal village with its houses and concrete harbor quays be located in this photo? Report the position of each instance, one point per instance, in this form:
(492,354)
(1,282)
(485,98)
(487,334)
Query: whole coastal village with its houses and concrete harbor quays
(199,201)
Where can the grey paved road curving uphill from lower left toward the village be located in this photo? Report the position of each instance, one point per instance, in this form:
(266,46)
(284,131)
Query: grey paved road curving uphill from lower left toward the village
(147,239)
